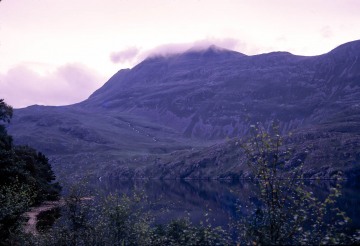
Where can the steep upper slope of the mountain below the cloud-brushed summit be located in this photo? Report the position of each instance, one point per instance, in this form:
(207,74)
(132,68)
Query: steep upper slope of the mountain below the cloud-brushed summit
(214,94)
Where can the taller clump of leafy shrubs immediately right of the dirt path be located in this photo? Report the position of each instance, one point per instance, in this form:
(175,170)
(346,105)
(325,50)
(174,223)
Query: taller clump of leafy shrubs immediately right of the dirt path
(98,220)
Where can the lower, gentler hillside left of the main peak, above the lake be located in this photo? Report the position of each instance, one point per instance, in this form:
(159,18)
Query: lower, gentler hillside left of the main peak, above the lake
(82,142)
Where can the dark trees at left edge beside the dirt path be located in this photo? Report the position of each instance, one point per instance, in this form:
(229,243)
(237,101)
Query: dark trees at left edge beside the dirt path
(26,179)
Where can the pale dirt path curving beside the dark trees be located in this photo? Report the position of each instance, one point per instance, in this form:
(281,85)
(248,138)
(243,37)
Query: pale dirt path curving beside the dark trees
(30,226)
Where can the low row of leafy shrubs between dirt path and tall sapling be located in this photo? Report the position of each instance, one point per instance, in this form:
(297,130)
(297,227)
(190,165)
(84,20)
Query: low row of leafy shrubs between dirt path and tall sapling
(121,220)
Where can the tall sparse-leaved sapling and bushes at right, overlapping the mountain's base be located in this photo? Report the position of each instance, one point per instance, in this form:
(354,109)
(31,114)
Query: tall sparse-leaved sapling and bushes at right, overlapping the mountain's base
(283,210)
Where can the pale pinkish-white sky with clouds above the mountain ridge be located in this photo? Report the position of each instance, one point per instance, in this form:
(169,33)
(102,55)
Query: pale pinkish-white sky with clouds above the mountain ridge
(59,52)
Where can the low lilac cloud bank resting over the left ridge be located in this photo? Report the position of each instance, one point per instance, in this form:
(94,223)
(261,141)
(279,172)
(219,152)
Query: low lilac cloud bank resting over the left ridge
(23,86)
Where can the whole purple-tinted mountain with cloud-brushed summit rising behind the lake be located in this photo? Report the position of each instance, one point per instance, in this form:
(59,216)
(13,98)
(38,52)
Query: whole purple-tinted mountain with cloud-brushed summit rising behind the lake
(153,119)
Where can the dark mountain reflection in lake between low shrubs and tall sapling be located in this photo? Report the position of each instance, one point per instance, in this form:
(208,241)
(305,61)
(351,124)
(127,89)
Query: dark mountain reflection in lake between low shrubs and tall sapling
(175,199)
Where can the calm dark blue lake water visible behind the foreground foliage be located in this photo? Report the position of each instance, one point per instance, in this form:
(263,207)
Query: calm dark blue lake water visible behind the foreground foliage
(217,201)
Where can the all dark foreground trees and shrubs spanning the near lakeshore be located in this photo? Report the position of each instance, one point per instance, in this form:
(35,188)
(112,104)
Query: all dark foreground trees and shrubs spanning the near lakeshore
(282,210)
